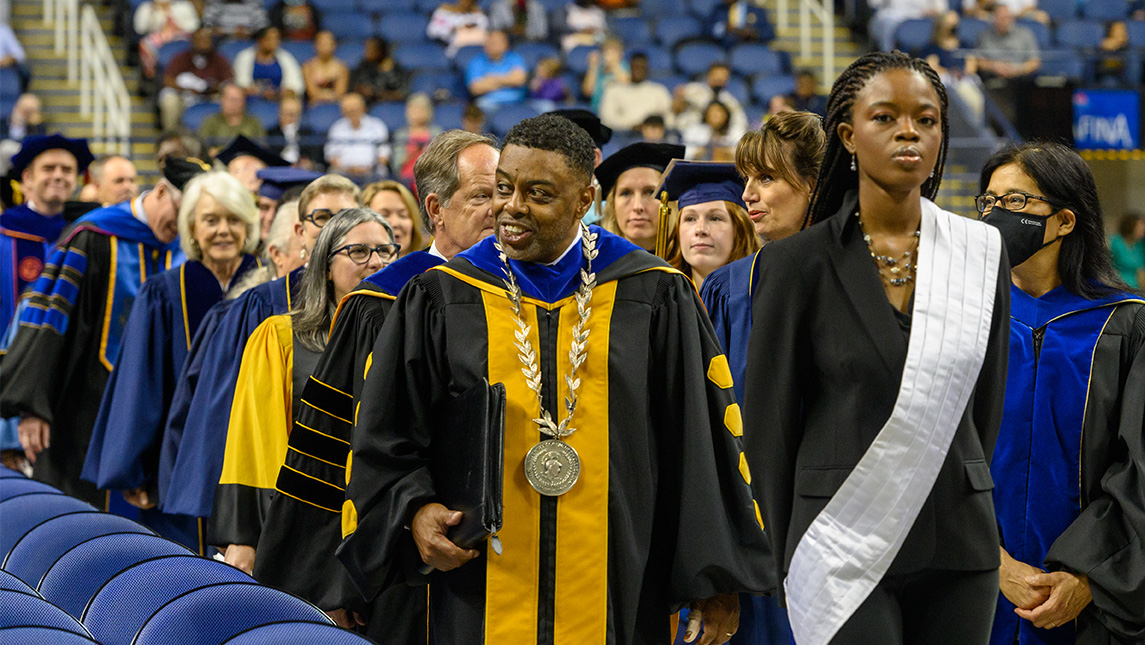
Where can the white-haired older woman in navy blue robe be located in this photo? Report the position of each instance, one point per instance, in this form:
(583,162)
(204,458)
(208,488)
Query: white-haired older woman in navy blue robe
(219,229)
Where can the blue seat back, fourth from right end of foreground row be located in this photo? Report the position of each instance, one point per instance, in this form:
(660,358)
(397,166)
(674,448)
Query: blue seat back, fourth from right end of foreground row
(78,575)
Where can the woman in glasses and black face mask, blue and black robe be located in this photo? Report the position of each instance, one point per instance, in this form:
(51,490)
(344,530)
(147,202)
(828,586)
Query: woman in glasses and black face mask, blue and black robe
(1070,462)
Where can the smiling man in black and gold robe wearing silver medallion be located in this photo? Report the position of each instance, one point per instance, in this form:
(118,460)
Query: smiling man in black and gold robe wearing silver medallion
(661,516)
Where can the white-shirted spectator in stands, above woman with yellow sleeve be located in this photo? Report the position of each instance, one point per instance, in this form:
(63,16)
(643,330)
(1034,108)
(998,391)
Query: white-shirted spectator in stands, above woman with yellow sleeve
(358,145)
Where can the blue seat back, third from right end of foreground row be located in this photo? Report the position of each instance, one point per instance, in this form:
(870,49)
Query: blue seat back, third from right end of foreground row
(127,602)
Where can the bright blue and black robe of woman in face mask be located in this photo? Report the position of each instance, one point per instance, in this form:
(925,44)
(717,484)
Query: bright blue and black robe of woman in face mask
(1060,443)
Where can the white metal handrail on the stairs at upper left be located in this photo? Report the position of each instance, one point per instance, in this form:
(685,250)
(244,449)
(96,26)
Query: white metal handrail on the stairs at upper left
(104,93)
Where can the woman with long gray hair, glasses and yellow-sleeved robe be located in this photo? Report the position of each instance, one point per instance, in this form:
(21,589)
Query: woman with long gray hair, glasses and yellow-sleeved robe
(278,360)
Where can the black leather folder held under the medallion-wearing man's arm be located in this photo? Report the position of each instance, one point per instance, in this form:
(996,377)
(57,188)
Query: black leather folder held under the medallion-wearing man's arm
(468,466)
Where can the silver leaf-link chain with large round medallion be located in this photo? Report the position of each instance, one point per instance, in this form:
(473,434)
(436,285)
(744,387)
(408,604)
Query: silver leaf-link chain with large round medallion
(554,467)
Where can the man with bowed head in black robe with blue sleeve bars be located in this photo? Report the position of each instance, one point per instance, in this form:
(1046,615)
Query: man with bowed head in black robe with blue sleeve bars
(72,331)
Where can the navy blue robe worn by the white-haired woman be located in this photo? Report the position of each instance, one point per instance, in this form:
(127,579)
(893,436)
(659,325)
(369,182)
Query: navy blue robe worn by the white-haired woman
(127,438)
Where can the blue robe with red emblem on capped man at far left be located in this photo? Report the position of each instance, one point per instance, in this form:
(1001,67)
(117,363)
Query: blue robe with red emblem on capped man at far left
(26,241)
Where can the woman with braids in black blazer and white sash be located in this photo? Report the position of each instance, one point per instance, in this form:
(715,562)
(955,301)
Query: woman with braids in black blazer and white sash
(872,407)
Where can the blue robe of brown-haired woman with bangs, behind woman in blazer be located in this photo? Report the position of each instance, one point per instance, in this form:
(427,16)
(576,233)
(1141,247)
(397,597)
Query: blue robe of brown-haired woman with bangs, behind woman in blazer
(728,295)
